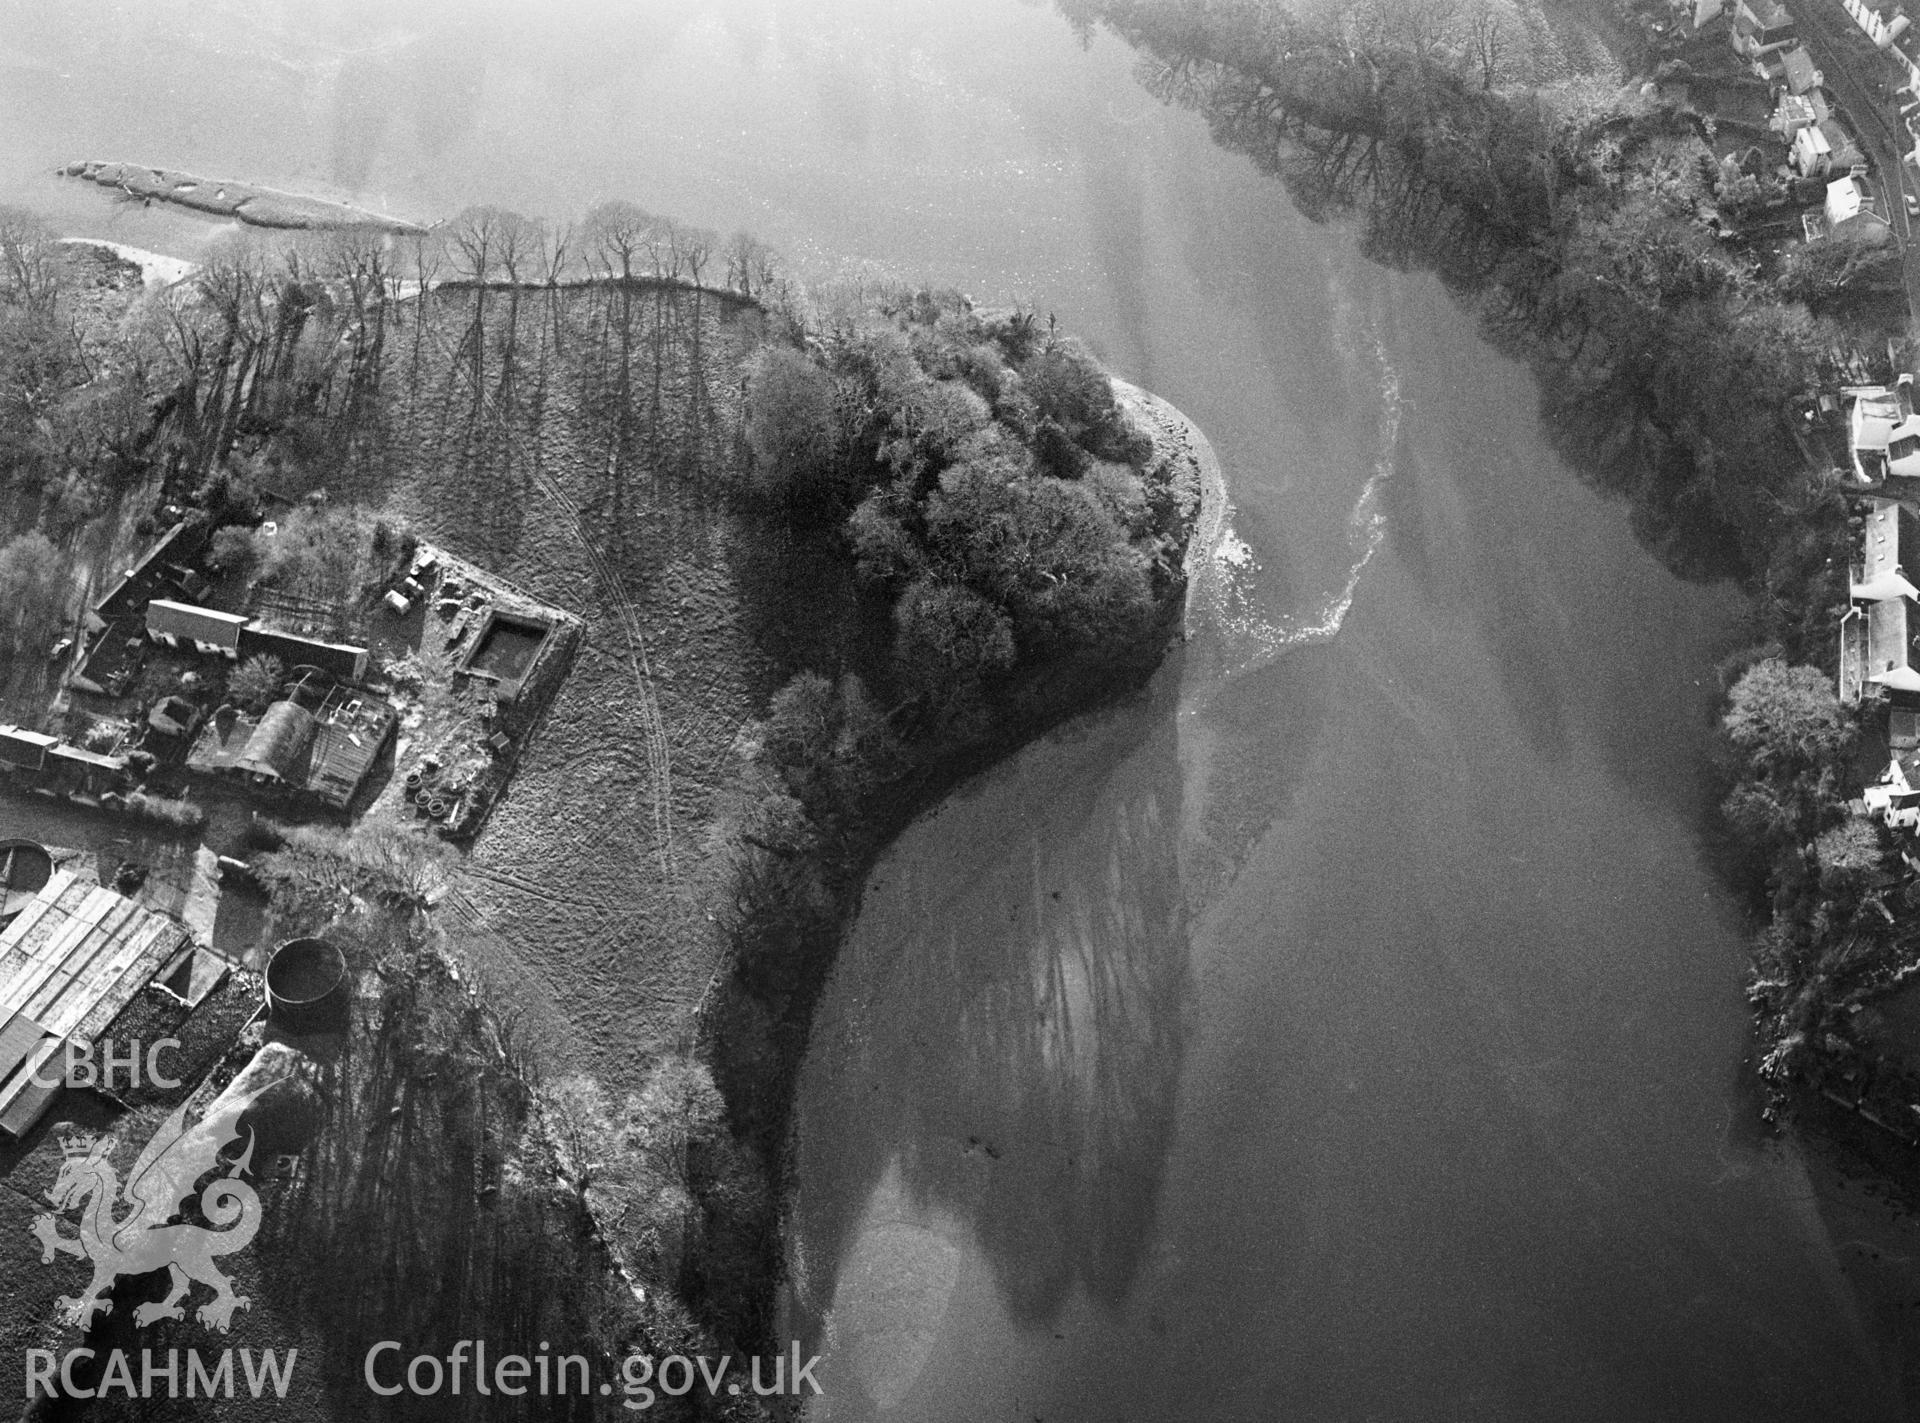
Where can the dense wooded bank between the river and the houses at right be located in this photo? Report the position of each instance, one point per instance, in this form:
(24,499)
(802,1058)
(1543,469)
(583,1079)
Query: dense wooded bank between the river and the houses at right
(1677,341)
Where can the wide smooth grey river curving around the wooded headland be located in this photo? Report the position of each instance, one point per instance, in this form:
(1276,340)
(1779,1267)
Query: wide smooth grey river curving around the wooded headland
(1349,1026)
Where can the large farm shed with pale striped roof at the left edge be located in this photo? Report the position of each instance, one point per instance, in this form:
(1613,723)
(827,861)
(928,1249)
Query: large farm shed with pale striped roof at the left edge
(70,965)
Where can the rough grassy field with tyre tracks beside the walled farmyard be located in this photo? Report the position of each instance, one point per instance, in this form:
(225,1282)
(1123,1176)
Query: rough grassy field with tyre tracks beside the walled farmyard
(585,445)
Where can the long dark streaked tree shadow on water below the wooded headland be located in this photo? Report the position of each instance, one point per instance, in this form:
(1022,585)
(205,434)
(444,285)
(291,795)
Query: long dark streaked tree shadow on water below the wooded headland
(1015,1065)
